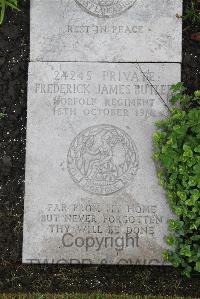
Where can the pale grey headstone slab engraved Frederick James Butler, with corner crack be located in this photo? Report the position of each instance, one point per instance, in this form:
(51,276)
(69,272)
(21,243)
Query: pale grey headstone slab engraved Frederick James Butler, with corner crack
(92,194)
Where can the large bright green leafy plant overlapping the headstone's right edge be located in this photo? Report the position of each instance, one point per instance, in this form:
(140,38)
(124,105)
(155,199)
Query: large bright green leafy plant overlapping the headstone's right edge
(177,152)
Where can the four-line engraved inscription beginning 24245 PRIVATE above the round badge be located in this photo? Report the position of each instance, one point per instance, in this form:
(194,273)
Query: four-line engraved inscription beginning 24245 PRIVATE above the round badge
(104,93)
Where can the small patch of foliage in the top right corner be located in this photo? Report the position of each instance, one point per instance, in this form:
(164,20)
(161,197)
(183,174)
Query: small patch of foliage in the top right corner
(193,12)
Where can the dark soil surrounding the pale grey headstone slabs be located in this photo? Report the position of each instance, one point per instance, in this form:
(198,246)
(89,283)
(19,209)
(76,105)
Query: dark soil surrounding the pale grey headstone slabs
(15,277)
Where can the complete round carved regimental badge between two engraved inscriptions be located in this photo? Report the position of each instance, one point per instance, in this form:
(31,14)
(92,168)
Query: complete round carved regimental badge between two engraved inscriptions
(102,159)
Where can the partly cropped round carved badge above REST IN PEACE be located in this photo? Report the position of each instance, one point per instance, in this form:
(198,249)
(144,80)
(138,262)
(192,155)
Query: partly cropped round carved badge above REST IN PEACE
(105,8)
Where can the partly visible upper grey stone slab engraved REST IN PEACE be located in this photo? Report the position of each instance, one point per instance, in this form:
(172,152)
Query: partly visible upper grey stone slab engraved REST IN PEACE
(114,31)
